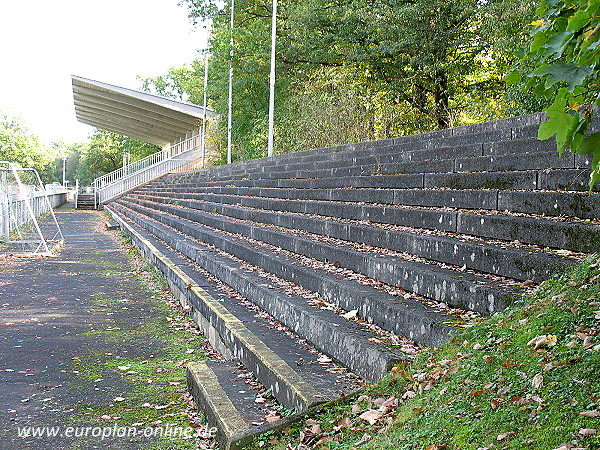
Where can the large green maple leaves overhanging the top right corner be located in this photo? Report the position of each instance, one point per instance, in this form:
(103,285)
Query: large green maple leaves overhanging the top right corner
(565,51)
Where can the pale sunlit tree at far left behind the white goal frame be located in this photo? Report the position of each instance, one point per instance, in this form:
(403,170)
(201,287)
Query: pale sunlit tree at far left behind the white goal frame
(19,146)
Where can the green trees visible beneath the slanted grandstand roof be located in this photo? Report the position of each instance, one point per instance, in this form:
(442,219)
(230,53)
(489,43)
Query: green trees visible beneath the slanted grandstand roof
(105,154)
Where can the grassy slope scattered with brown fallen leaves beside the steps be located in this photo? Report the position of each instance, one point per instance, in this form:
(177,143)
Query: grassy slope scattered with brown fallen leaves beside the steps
(527,377)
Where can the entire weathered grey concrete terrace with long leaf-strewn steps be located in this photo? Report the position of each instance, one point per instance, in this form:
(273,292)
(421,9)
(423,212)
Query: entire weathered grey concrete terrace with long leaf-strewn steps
(314,272)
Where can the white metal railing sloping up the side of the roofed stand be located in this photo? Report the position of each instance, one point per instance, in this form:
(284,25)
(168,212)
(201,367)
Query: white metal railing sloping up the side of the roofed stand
(139,172)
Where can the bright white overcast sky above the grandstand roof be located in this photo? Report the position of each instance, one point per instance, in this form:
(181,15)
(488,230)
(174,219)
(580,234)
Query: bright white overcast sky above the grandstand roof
(43,42)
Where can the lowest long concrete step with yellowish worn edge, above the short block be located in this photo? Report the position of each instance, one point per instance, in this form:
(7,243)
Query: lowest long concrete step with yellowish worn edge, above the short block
(233,329)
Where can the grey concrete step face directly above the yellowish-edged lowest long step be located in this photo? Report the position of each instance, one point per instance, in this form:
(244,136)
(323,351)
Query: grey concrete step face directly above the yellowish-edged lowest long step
(340,339)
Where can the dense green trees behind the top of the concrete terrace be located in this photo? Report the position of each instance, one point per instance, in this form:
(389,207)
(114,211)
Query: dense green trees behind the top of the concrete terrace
(355,70)
